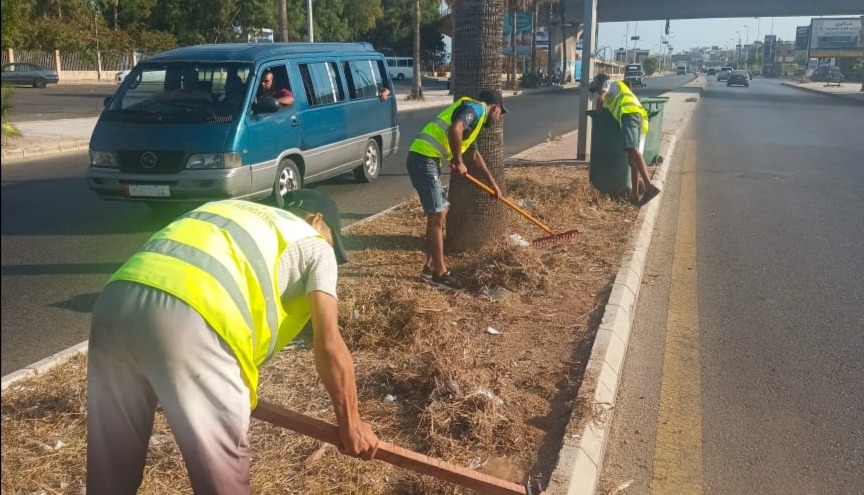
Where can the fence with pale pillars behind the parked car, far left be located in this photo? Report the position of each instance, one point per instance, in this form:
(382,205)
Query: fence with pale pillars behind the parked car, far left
(90,65)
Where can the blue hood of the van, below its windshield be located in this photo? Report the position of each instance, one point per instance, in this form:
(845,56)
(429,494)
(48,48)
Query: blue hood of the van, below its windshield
(189,138)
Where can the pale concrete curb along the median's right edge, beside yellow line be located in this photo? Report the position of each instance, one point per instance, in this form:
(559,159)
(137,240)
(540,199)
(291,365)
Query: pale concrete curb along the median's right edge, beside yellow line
(580,460)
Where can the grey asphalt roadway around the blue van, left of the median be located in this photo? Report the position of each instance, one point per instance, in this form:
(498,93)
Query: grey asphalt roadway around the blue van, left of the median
(60,242)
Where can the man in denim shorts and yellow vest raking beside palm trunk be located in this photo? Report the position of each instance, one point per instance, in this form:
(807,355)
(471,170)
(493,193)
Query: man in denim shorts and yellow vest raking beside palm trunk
(450,137)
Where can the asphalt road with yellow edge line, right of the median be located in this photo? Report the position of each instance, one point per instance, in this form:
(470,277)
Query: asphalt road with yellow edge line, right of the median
(744,374)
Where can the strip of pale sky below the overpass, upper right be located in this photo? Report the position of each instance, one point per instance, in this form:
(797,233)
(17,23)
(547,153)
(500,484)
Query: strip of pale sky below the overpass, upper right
(693,33)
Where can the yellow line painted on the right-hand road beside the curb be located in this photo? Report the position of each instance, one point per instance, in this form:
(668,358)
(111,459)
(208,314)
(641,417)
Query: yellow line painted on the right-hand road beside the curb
(677,468)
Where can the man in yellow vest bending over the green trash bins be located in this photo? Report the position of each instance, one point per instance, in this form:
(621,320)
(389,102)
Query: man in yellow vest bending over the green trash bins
(619,100)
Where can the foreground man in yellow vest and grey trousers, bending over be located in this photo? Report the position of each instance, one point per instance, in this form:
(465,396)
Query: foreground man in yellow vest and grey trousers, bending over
(187,321)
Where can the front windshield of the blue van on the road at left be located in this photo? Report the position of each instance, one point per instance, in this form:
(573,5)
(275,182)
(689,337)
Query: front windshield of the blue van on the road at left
(181,92)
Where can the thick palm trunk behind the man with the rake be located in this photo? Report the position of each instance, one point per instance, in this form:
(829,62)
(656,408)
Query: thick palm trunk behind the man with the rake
(475,218)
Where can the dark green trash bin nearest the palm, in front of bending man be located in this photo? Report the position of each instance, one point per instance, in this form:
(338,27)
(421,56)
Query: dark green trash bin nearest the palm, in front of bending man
(608,170)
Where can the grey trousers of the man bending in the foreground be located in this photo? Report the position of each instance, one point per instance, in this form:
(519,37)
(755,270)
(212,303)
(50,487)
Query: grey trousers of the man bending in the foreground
(148,347)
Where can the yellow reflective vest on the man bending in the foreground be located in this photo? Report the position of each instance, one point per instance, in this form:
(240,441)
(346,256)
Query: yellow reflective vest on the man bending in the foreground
(222,260)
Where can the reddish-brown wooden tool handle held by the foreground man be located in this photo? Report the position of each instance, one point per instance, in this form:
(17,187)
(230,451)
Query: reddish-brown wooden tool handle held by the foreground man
(389,453)
